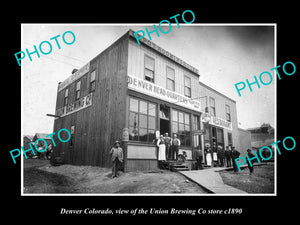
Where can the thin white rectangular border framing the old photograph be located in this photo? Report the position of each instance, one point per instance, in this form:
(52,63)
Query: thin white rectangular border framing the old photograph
(147,24)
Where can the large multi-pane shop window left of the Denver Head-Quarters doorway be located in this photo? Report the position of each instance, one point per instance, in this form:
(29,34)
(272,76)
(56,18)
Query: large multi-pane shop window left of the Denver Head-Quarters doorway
(142,120)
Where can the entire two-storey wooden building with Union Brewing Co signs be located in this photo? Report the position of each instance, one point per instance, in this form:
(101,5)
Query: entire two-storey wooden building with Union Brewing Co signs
(133,93)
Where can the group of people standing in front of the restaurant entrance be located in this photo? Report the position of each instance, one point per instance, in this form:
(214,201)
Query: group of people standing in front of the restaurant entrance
(217,156)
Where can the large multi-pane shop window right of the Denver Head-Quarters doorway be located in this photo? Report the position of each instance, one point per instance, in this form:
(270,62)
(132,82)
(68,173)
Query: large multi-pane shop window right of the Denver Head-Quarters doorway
(181,126)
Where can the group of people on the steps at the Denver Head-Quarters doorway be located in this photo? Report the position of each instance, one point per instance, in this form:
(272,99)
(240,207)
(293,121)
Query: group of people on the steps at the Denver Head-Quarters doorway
(167,147)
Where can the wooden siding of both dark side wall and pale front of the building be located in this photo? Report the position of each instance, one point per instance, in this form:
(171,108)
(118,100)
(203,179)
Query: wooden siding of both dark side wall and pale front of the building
(99,125)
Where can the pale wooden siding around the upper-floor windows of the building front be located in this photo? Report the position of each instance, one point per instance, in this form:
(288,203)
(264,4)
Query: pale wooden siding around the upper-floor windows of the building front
(136,56)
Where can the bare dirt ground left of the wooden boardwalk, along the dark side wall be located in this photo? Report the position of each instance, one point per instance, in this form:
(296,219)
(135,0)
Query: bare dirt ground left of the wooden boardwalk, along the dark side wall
(41,177)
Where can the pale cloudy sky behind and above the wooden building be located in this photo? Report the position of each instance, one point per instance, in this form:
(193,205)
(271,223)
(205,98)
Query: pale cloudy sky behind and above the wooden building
(223,54)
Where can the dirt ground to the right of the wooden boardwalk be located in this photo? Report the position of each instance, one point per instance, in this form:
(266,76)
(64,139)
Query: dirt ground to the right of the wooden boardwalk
(261,181)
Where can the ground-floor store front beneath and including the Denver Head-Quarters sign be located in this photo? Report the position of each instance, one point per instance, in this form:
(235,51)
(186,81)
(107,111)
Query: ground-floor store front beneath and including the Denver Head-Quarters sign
(150,117)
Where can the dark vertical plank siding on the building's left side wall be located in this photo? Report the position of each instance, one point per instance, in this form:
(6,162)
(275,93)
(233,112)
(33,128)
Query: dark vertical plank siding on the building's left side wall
(99,125)
